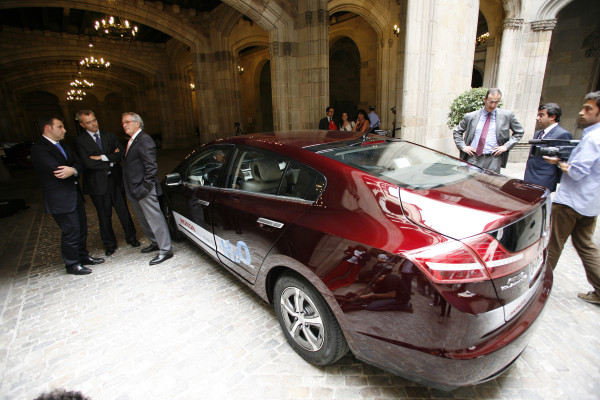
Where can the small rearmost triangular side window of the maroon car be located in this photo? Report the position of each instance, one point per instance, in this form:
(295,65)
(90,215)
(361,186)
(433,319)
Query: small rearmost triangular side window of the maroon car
(300,182)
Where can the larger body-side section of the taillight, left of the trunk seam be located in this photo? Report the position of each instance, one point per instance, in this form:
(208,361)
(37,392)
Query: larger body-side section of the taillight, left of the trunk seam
(449,262)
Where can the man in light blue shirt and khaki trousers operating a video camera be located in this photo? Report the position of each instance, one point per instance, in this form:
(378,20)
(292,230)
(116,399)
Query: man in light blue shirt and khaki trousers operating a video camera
(577,201)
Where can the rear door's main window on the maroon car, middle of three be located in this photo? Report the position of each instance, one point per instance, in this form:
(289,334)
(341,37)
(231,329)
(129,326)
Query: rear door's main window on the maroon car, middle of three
(257,172)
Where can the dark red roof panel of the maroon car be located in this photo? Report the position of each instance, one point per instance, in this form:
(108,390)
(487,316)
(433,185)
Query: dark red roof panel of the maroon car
(294,139)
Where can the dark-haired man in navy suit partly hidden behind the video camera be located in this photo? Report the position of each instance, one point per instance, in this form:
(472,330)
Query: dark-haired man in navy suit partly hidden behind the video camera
(539,171)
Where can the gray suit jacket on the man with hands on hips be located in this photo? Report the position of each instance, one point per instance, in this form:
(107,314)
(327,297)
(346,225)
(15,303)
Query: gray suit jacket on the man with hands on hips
(505,122)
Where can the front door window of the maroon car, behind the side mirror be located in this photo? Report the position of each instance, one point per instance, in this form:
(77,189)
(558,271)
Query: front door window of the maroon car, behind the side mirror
(206,168)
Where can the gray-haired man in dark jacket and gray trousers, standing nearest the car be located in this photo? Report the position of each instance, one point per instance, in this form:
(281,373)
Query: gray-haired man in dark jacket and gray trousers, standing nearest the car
(141,185)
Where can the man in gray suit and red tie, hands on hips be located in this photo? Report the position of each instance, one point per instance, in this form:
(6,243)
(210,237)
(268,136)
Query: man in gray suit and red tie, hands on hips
(483,136)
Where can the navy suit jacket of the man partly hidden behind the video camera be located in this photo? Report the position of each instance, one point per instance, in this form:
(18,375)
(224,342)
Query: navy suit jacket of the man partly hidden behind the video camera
(539,171)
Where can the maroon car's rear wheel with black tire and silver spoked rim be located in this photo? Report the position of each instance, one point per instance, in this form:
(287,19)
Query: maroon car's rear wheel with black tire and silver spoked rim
(307,321)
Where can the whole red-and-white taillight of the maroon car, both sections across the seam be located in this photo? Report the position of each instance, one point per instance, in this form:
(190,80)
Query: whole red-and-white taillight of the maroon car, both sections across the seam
(474,259)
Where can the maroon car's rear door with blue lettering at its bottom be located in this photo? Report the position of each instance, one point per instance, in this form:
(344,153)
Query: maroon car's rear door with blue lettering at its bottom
(264,194)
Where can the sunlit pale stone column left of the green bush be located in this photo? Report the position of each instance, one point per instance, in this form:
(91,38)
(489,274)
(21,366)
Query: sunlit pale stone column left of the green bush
(436,65)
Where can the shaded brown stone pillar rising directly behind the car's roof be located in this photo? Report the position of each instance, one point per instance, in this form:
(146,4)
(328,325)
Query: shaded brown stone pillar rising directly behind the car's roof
(299,68)
